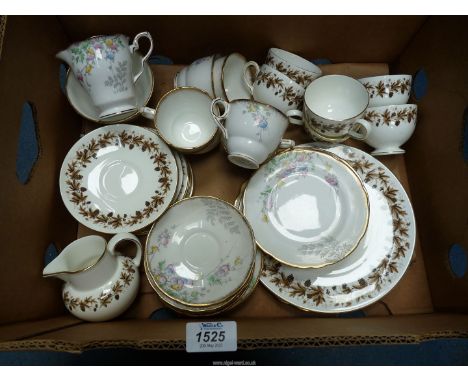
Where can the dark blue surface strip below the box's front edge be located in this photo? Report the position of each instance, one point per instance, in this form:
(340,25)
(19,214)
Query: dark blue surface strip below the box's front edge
(433,352)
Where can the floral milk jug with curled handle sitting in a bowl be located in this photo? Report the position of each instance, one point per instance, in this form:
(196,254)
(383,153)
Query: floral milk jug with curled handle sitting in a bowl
(103,66)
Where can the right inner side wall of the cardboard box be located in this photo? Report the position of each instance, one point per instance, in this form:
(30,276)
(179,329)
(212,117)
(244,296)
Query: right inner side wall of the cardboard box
(437,171)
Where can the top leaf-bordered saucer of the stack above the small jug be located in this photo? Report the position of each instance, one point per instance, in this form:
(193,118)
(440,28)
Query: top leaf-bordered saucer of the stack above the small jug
(118,178)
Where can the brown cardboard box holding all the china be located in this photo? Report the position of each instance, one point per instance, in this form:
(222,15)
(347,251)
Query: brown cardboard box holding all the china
(429,302)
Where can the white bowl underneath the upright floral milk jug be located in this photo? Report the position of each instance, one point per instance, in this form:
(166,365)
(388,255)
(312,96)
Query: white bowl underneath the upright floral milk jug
(83,104)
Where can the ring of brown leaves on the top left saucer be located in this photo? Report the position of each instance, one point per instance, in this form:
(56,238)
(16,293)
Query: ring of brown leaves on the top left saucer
(83,156)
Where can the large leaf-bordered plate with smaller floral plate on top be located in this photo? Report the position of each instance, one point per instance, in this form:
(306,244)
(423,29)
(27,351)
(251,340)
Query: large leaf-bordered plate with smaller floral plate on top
(336,226)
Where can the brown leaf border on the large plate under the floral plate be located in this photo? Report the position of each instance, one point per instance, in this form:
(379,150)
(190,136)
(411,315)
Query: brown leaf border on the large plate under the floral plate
(393,263)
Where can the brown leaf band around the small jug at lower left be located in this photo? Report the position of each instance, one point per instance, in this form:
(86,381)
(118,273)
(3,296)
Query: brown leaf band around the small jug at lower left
(107,296)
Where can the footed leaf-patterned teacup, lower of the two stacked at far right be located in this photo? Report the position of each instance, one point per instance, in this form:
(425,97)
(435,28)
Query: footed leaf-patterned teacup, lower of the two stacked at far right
(392,126)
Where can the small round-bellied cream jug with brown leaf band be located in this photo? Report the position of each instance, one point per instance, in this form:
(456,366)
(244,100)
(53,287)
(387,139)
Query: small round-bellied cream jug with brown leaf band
(99,284)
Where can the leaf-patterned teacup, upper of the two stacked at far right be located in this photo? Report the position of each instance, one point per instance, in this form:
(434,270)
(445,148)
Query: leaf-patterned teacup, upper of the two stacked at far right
(388,90)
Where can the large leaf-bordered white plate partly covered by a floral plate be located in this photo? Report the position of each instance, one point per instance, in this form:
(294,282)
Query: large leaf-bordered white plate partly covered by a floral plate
(374,268)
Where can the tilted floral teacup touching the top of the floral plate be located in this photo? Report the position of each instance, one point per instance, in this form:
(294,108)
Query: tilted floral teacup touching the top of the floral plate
(252,130)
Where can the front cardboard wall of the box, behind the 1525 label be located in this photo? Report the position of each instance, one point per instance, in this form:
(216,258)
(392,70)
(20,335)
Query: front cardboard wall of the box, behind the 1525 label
(252,333)
